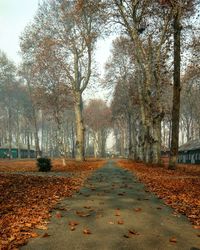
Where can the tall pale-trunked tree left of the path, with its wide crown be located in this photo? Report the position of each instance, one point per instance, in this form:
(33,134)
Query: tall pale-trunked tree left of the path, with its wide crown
(70,29)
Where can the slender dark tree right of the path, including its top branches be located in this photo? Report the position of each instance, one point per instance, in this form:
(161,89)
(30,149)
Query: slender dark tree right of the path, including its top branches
(179,9)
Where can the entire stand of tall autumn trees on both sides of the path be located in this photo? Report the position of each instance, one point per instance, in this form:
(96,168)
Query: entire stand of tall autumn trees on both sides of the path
(144,72)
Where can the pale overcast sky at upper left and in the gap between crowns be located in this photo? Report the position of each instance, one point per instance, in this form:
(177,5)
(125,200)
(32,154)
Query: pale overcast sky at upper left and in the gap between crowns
(15,15)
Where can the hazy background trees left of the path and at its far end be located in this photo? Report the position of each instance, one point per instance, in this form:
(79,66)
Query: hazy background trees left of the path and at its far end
(44,116)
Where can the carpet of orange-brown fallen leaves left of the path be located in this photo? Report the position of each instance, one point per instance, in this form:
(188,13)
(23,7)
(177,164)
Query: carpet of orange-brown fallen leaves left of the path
(26,201)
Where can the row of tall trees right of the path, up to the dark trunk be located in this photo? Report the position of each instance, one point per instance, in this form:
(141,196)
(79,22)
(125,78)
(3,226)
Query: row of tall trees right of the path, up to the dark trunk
(146,62)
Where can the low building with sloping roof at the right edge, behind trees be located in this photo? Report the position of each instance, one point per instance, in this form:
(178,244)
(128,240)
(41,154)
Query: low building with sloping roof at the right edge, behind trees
(190,152)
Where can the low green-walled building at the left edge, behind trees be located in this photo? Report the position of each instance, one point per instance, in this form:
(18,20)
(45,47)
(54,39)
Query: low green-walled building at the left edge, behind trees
(17,152)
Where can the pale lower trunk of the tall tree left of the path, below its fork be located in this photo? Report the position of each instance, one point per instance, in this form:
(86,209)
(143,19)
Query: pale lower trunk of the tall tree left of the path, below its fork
(79,127)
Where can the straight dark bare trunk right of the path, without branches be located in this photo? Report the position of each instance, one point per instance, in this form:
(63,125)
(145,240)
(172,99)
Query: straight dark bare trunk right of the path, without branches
(176,92)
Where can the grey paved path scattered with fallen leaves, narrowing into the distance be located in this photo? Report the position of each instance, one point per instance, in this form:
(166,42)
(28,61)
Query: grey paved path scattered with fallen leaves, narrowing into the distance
(114,206)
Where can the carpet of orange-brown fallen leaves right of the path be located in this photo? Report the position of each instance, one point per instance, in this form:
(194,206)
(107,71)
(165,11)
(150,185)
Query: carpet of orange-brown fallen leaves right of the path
(179,188)
